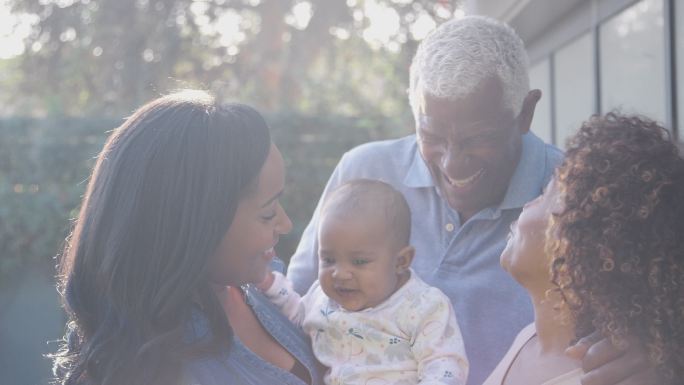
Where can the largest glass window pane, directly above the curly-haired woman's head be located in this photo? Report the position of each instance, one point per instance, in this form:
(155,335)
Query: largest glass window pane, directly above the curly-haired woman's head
(632,61)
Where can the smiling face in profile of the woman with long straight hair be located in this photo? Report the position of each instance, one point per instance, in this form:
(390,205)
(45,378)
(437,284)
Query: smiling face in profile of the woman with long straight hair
(246,249)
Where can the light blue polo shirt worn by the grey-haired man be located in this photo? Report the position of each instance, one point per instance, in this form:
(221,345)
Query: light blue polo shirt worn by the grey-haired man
(461,259)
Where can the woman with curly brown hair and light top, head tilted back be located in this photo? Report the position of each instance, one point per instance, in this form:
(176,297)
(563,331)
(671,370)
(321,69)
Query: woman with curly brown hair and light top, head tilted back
(602,251)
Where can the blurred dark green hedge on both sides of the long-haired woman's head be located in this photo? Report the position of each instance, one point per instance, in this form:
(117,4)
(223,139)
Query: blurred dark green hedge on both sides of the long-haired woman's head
(45,164)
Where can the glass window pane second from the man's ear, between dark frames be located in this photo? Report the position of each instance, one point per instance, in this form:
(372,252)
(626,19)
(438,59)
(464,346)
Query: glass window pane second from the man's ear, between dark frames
(575,86)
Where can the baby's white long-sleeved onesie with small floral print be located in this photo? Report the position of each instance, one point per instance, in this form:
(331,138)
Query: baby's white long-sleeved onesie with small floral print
(411,338)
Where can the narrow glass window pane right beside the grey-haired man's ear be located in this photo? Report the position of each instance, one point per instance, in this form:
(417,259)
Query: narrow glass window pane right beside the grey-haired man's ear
(540,78)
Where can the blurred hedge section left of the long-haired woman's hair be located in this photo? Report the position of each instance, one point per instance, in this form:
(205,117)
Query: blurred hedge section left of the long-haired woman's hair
(43,165)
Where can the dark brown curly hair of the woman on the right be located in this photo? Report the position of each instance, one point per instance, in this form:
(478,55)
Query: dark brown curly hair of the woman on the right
(618,242)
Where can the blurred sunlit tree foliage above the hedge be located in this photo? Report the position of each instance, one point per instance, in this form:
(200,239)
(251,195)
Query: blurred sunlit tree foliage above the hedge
(109,56)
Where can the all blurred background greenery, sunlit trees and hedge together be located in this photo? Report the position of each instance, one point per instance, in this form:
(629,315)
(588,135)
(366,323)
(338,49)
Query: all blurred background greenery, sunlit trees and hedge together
(93,58)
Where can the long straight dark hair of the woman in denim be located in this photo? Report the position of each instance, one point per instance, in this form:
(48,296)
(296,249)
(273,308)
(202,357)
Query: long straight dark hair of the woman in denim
(162,195)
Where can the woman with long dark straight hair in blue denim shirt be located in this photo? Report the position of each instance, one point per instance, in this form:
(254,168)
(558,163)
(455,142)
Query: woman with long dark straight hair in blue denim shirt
(181,212)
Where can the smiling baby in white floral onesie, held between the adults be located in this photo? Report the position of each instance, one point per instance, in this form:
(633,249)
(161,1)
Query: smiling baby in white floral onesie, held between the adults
(370,318)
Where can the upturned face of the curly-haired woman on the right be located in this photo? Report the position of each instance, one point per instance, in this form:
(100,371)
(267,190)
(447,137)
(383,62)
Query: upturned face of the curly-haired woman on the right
(524,257)
